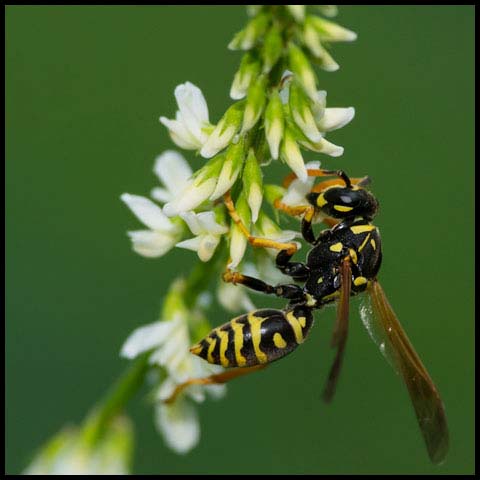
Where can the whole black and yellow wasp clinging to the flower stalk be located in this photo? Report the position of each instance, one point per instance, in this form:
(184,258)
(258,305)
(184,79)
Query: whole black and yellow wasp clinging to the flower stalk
(344,260)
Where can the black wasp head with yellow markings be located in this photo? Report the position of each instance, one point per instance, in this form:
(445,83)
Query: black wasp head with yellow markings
(344,202)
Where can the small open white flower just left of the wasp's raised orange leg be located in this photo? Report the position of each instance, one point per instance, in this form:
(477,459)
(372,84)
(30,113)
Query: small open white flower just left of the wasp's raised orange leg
(207,232)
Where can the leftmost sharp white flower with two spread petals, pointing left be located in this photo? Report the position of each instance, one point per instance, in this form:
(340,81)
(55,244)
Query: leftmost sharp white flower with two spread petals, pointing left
(163,233)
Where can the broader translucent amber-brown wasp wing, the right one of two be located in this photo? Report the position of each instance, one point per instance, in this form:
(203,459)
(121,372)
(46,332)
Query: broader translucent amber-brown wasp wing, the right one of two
(386,330)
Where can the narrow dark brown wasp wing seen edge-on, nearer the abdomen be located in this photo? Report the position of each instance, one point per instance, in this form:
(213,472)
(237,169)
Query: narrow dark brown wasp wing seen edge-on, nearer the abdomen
(340,333)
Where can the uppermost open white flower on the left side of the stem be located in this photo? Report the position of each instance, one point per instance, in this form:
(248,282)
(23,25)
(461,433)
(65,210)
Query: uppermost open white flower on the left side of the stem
(191,126)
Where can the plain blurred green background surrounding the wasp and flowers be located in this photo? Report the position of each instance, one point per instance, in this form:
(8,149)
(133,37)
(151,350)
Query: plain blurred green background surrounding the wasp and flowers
(84,89)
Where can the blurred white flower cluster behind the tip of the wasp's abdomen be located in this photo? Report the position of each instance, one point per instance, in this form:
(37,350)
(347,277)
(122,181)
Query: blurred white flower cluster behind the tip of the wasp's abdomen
(170,341)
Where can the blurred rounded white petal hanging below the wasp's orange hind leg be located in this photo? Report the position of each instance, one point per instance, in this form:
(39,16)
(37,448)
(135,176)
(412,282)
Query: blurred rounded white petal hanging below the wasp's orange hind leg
(179,425)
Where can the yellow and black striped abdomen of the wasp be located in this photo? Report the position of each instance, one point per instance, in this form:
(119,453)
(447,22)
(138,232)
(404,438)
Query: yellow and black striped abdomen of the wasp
(261,336)
